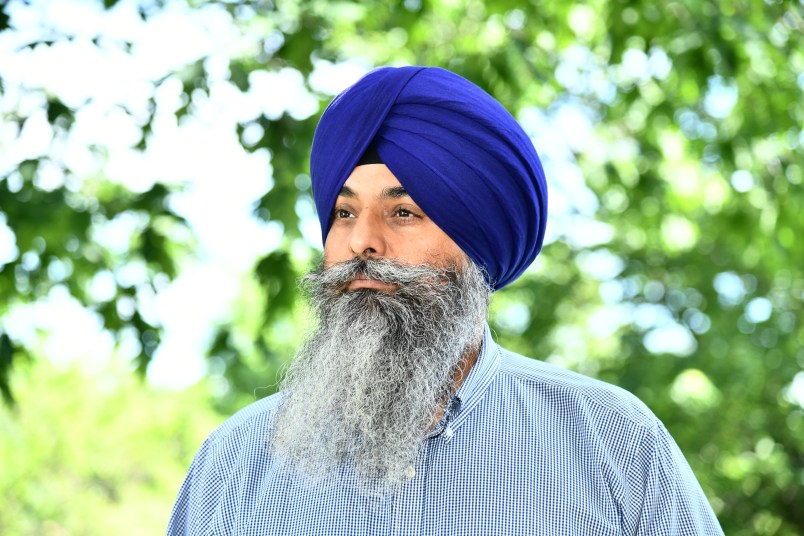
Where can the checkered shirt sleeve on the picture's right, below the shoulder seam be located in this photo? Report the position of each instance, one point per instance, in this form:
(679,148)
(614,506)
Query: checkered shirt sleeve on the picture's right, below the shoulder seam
(667,499)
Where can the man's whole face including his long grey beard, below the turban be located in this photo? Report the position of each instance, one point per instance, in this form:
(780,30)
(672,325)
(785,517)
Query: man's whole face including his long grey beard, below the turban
(399,310)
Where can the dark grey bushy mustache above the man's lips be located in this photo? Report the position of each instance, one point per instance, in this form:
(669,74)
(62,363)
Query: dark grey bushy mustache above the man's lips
(389,271)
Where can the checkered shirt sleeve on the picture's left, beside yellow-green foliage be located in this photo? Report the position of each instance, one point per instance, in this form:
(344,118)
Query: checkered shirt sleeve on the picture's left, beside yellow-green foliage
(199,496)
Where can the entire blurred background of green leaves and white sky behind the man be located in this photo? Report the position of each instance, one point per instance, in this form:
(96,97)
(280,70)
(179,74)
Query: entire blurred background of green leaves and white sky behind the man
(155,213)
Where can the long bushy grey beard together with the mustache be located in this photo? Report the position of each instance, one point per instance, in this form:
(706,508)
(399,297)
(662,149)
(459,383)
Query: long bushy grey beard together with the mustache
(363,391)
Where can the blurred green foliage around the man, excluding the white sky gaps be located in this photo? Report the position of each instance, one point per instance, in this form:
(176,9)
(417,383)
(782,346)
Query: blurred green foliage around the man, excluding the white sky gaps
(704,209)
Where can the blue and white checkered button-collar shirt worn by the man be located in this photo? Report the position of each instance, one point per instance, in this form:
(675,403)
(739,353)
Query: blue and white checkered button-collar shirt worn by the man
(525,449)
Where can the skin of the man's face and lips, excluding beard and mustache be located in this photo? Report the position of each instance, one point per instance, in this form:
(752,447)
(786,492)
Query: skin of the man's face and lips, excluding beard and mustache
(375,217)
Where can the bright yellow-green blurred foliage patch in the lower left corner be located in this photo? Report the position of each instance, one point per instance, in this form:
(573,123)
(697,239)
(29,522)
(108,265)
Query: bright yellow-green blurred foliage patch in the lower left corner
(105,443)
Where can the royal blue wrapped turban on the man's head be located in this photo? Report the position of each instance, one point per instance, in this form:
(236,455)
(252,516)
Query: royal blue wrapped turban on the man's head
(459,153)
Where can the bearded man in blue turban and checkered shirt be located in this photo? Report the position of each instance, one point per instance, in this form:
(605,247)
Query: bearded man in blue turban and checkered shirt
(400,414)
